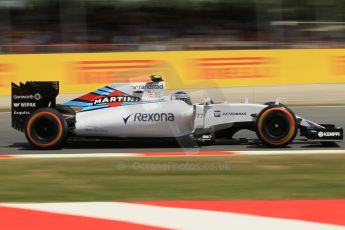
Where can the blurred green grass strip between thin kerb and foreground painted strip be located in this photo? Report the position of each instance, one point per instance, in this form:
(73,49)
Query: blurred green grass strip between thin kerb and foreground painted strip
(158,178)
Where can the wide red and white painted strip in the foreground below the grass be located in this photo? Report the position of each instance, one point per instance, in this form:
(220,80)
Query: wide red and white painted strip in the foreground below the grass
(243,215)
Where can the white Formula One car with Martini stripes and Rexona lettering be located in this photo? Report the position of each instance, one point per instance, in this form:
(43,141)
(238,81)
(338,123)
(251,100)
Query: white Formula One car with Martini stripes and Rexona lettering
(140,110)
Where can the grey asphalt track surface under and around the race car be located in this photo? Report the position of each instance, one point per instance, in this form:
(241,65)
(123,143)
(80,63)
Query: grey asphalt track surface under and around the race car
(14,142)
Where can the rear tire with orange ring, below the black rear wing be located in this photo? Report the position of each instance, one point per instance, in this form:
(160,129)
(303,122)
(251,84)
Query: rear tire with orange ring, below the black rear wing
(46,129)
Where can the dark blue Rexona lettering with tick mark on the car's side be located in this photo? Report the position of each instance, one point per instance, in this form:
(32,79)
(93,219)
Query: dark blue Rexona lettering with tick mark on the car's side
(150,117)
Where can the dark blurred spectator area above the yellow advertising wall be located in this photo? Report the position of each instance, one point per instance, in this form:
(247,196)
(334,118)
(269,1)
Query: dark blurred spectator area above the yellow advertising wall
(51,26)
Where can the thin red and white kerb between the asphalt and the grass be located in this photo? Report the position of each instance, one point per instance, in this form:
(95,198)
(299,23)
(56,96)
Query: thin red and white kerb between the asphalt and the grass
(169,154)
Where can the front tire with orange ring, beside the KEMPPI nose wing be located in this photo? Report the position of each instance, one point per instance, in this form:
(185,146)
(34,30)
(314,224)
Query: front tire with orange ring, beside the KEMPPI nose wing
(276,126)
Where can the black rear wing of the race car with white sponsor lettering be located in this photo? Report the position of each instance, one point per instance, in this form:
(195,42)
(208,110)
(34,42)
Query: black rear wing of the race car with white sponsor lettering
(28,97)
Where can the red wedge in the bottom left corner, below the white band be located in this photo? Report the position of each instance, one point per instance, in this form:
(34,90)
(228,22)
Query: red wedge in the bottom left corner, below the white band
(22,219)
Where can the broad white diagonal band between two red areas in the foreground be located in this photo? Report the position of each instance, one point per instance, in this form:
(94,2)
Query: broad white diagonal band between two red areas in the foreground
(173,218)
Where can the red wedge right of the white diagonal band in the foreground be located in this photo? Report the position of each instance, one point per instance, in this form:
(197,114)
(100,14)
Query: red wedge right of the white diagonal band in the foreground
(321,211)
